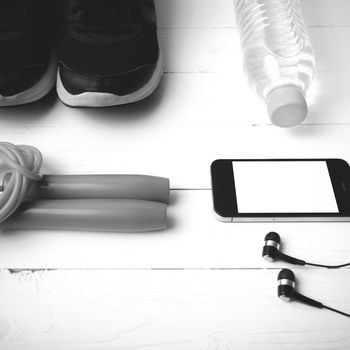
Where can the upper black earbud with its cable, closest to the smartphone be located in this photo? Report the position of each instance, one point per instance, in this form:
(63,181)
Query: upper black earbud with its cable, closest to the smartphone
(271,252)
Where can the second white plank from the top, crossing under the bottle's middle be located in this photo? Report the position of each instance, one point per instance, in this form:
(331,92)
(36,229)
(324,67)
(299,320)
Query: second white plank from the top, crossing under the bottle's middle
(203,50)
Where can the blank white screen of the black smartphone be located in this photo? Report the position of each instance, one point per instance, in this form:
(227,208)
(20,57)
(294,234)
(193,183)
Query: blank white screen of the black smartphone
(284,187)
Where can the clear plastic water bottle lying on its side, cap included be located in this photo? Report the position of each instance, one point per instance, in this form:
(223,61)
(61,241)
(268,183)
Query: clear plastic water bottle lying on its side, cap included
(278,56)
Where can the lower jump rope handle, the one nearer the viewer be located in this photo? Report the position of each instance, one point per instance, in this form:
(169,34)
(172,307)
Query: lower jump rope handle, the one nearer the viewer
(111,215)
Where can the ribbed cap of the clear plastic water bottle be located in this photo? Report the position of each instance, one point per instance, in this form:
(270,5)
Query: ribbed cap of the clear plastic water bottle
(287,106)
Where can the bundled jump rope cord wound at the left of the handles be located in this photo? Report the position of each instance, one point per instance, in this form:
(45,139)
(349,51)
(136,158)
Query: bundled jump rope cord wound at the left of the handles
(21,165)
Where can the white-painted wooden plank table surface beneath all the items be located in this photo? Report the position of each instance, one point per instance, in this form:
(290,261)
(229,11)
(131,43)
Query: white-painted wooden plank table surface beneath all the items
(201,284)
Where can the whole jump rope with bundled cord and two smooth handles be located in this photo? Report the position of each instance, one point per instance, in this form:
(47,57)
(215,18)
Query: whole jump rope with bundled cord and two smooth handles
(29,200)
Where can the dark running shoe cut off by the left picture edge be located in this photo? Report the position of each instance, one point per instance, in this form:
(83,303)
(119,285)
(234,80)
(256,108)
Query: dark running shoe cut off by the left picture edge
(27,66)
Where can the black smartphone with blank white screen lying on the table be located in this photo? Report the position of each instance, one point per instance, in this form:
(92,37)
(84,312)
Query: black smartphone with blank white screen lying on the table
(281,190)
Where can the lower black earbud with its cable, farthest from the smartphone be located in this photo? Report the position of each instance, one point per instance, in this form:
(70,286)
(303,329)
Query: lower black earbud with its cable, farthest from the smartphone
(286,291)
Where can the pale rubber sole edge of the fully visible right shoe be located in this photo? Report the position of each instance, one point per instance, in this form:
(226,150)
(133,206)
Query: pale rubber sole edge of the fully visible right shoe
(101,99)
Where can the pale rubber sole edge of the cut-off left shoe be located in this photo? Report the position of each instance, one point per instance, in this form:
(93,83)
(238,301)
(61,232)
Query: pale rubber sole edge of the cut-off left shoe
(37,91)
